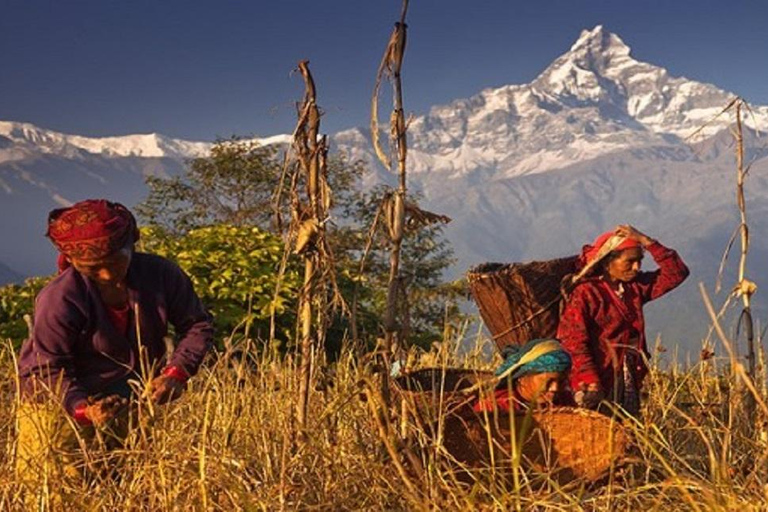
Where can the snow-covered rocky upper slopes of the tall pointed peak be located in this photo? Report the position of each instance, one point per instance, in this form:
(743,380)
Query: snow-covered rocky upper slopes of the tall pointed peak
(593,100)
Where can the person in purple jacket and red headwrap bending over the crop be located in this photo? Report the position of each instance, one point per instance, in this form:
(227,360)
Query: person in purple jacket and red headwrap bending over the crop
(99,326)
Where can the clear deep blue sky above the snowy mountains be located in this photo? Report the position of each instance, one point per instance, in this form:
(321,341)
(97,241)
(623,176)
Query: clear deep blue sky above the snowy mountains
(200,69)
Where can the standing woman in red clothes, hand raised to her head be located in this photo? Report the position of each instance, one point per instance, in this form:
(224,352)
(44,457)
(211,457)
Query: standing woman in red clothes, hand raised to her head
(602,326)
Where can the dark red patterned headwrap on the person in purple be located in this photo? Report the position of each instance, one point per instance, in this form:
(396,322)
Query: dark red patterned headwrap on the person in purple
(91,230)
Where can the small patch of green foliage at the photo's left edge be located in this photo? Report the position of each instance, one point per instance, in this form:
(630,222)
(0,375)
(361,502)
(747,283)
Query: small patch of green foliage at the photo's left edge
(15,302)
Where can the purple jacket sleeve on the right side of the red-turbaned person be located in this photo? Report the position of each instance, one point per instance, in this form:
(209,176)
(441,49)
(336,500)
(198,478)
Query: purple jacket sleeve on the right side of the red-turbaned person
(193,324)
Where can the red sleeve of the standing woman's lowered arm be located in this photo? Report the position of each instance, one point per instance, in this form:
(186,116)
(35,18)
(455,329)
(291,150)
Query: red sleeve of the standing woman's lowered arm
(574,337)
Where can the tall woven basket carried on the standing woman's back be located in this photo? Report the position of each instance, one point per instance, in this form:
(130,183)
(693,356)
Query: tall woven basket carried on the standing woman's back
(520,301)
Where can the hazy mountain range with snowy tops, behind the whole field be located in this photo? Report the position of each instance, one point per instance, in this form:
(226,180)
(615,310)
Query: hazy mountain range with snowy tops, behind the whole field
(526,171)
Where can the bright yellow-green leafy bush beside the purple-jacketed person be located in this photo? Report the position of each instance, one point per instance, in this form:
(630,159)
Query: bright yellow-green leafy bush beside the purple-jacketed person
(234,271)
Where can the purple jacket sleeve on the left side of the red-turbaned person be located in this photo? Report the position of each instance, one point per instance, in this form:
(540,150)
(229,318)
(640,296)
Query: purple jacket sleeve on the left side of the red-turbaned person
(47,358)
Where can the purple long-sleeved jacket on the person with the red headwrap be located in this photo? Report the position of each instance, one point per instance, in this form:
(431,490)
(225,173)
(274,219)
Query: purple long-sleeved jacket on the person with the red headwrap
(73,337)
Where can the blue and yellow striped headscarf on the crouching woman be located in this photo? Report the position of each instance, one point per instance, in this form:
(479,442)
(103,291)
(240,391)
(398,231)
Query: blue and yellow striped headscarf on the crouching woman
(537,356)
